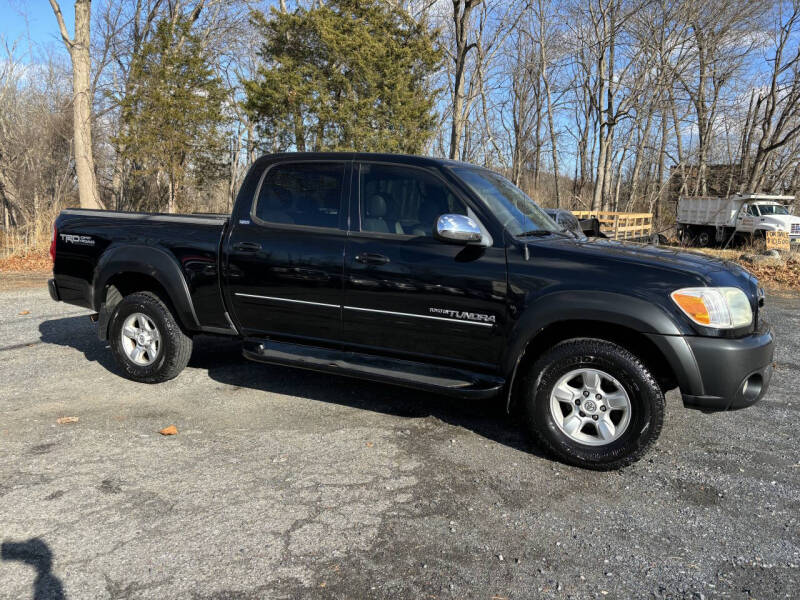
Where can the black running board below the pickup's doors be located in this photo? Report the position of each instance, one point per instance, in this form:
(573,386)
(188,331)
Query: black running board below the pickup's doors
(451,381)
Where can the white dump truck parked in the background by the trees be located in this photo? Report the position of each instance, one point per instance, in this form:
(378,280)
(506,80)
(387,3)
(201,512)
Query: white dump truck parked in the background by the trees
(705,220)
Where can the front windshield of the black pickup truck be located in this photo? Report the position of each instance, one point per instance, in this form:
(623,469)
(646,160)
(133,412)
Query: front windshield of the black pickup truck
(514,209)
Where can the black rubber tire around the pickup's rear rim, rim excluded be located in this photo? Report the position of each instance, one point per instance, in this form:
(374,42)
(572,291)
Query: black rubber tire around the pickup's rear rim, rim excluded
(175,347)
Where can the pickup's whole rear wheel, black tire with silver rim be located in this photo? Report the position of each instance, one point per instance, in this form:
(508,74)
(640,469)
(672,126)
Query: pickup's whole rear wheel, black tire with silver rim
(146,340)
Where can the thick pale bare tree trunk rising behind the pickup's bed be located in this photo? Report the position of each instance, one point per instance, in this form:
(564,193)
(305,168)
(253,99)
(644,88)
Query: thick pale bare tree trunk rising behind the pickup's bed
(78,48)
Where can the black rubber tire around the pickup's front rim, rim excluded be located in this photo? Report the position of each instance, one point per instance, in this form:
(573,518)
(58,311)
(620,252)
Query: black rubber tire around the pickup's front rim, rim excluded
(646,400)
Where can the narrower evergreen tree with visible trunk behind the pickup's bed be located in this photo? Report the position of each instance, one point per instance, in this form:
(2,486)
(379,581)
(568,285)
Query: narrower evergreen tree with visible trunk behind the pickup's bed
(173,115)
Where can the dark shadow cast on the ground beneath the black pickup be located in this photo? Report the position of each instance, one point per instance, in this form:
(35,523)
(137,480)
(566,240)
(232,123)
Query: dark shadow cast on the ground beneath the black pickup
(222,360)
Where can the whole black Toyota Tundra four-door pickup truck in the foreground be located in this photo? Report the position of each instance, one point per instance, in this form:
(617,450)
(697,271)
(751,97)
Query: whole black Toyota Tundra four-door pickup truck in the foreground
(431,274)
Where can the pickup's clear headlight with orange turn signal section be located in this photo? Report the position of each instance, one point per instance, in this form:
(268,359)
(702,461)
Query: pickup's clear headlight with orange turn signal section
(722,308)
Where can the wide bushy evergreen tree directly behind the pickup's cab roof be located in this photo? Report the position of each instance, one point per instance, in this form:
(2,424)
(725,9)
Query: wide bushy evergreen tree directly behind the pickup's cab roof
(345,75)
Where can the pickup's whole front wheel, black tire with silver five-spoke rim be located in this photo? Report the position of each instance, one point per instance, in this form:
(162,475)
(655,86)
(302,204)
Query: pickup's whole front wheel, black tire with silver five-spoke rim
(592,404)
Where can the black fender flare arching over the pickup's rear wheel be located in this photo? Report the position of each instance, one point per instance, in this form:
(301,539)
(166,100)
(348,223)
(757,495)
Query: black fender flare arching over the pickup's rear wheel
(155,263)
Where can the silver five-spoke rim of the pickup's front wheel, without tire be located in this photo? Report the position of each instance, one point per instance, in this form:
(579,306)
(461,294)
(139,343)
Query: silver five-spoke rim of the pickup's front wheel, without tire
(590,407)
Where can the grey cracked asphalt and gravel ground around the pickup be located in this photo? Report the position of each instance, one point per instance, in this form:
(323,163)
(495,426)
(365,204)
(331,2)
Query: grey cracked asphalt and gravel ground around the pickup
(290,484)
